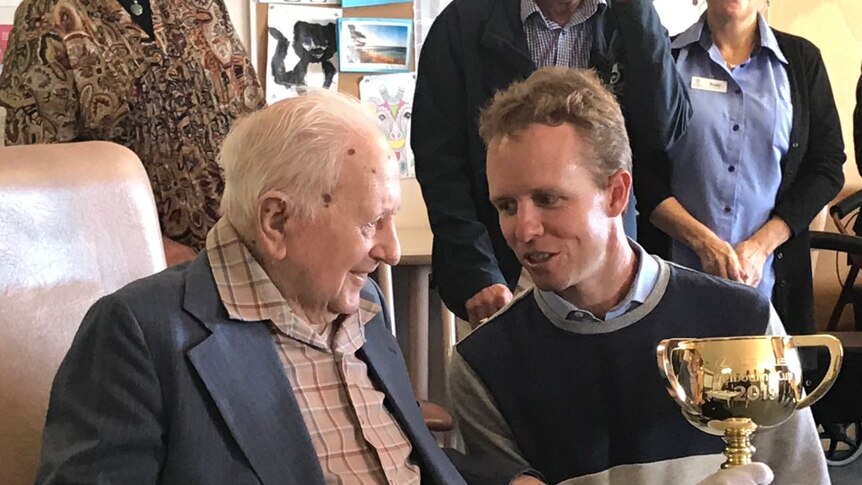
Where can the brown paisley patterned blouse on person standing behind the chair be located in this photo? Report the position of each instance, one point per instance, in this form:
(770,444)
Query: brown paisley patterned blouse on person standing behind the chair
(84,70)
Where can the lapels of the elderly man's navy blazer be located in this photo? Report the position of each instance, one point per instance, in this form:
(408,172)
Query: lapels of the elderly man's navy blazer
(240,368)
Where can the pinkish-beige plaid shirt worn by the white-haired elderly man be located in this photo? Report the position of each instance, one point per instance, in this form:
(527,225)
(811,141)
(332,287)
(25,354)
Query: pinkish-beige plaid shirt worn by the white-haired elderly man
(356,438)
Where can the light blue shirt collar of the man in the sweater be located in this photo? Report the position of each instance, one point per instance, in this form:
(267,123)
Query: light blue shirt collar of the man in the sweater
(643,284)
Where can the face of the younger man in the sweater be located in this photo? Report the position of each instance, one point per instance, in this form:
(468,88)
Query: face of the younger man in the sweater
(552,213)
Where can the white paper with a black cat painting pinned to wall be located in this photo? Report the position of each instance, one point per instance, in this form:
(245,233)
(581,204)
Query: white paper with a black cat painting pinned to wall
(302,51)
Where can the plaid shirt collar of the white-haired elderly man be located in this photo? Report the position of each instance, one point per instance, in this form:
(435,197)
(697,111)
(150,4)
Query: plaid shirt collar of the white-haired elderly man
(249,295)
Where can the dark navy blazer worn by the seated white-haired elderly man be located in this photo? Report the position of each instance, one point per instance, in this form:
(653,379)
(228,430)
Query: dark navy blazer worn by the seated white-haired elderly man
(161,386)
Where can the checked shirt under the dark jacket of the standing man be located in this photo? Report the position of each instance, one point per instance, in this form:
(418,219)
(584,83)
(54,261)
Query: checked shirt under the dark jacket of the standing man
(553,45)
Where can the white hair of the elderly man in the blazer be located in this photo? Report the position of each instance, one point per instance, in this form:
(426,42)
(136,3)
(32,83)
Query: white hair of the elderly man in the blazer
(294,146)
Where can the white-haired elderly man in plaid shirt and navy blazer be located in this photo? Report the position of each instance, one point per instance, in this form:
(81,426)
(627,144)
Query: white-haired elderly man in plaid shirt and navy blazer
(267,359)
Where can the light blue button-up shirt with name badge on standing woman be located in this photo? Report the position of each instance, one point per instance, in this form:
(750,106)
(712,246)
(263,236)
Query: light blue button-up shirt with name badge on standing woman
(726,169)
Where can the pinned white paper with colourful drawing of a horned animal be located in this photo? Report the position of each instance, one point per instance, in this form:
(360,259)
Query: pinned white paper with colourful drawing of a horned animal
(390,98)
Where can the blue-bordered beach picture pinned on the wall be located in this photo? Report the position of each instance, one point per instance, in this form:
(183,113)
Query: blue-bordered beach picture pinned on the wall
(374,45)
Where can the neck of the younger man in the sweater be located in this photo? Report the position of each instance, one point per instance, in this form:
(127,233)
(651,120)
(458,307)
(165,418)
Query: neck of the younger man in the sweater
(605,289)
